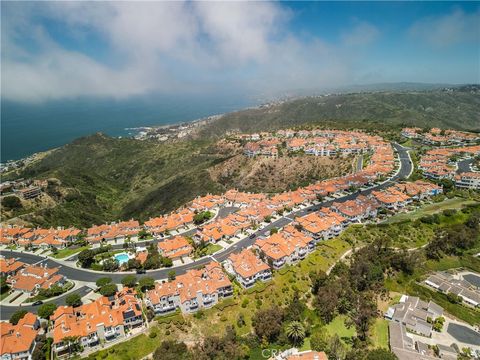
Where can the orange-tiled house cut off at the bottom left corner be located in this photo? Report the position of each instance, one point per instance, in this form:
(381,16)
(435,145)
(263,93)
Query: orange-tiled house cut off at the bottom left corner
(18,341)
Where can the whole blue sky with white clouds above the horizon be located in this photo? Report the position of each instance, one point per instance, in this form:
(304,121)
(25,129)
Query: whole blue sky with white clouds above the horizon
(67,50)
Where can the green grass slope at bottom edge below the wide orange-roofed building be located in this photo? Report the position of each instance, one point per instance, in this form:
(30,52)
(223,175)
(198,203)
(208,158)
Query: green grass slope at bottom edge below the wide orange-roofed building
(136,348)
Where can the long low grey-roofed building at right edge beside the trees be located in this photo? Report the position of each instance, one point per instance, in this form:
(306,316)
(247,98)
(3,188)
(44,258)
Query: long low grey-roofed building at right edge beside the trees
(448,284)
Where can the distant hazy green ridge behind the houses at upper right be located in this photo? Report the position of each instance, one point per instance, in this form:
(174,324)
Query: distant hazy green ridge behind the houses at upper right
(456,108)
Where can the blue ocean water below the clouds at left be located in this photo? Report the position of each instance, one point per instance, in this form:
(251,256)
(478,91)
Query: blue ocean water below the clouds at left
(30,128)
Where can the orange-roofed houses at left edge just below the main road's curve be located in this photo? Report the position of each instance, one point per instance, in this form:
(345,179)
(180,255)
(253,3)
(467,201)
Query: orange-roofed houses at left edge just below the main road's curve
(29,279)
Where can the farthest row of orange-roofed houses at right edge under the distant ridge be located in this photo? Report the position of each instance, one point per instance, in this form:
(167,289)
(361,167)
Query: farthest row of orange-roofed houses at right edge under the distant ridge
(438,137)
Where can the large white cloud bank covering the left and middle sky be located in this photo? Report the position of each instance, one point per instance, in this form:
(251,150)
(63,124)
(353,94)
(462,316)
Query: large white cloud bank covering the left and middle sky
(167,47)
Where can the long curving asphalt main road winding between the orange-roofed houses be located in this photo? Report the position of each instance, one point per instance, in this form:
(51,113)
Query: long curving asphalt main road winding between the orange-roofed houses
(91,276)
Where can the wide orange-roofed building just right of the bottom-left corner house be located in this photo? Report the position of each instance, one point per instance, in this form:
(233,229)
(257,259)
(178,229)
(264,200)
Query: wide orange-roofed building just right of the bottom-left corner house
(105,319)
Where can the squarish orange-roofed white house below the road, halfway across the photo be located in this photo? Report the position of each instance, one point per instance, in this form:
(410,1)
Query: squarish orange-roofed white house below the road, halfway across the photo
(247,268)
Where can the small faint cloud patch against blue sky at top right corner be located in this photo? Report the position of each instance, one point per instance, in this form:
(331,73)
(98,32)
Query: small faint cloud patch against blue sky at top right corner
(446,30)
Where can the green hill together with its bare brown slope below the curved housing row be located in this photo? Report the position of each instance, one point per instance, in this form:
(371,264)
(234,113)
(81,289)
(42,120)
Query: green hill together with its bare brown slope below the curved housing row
(98,178)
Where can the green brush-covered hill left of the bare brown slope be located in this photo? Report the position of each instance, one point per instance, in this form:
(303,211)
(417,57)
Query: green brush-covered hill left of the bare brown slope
(109,179)
